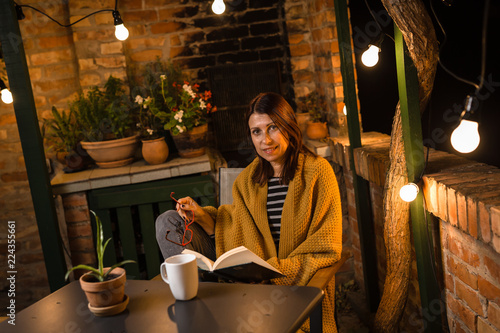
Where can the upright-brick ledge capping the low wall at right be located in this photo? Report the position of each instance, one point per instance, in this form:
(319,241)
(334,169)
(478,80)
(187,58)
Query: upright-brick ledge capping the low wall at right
(462,192)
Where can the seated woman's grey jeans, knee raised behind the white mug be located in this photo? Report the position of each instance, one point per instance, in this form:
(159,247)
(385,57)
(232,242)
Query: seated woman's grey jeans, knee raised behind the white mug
(171,220)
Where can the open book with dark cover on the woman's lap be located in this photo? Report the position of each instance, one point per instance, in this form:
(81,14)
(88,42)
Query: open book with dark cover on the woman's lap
(239,264)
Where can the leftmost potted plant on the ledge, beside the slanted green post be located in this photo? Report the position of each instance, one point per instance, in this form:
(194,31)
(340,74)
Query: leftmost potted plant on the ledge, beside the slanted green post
(63,134)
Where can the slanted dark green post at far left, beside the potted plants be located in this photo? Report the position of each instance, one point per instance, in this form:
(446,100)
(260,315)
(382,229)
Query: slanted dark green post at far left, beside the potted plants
(31,142)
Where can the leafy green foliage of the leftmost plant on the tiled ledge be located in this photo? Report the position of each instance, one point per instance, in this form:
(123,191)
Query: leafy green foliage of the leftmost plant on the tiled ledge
(62,131)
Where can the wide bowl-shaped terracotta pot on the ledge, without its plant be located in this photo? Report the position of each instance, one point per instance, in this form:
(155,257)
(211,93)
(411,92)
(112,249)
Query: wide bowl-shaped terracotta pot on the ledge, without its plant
(112,153)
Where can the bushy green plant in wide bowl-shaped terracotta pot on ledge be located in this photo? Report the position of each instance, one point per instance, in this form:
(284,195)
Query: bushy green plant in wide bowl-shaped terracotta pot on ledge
(107,124)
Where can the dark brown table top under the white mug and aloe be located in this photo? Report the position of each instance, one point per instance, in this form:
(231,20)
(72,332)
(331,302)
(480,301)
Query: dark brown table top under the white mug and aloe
(218,307)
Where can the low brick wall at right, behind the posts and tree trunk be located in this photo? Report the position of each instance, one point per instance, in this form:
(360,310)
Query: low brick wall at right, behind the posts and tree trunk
(464,198)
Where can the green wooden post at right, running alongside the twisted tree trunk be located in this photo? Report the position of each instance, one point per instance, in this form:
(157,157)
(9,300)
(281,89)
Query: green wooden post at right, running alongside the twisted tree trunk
(412,135)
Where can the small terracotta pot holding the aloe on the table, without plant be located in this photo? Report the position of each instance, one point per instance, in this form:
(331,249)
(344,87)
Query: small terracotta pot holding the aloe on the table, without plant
(106,293)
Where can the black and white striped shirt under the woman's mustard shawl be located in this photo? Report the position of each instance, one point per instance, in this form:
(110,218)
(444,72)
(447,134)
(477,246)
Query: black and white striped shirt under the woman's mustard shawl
(276,195)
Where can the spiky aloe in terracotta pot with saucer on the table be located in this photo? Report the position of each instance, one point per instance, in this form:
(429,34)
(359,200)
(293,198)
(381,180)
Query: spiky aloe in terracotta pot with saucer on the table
(103,286)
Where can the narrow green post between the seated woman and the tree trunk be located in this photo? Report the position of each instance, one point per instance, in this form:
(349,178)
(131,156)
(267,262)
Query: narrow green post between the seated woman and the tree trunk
(361,186)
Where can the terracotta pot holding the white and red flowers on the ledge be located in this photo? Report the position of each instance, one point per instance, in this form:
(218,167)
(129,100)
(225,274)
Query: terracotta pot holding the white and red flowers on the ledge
(192,143)
